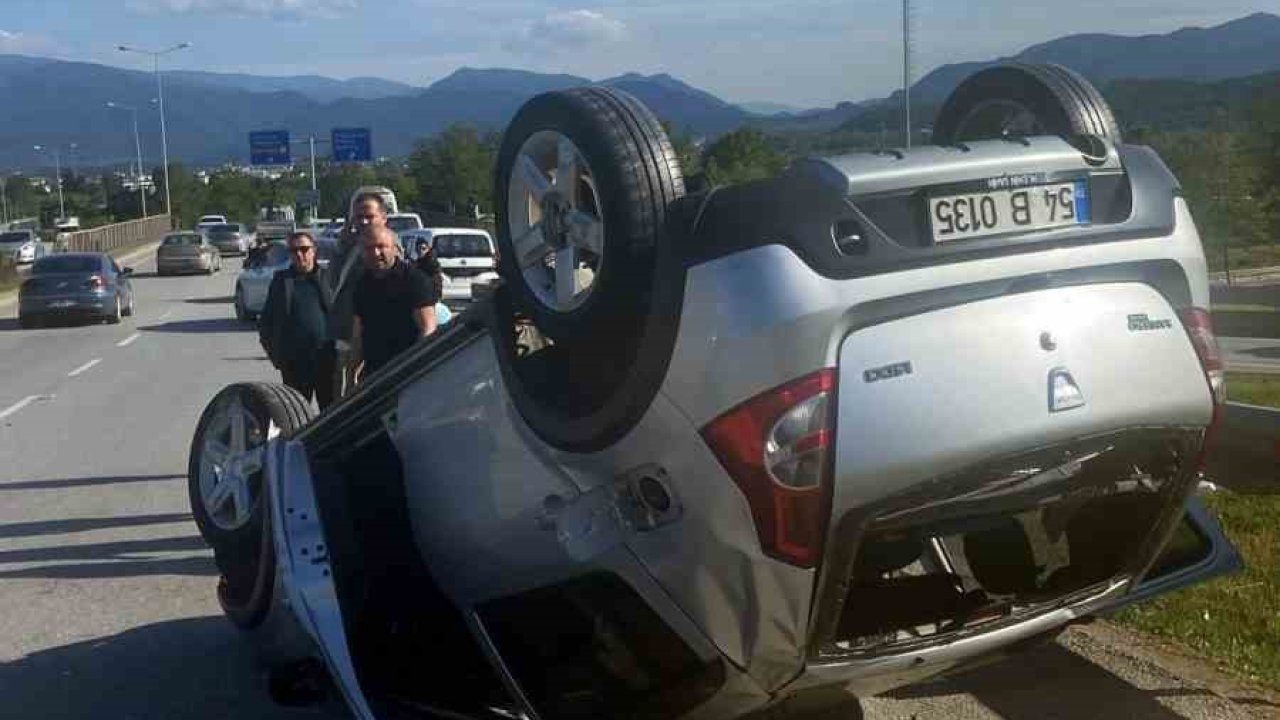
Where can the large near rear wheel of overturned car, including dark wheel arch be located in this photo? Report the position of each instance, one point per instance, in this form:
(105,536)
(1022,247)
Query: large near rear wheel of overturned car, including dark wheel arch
(586,180)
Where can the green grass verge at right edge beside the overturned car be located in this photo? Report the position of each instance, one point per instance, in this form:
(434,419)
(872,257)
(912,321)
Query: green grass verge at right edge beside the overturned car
(1232,621)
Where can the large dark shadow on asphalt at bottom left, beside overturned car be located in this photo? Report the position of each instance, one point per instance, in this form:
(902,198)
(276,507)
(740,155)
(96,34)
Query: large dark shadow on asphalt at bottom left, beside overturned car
(196,669)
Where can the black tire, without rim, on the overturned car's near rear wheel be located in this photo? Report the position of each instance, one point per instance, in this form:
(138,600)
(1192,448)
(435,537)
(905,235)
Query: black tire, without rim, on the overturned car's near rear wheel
(637,176)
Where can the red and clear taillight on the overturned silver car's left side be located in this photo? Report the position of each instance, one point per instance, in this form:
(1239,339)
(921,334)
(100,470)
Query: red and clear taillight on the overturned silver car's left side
(776,448)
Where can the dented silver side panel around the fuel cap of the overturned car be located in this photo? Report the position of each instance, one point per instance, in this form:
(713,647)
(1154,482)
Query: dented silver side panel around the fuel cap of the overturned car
(478,481)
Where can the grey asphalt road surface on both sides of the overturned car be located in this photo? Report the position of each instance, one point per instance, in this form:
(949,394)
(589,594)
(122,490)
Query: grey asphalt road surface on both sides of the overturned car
(107,591)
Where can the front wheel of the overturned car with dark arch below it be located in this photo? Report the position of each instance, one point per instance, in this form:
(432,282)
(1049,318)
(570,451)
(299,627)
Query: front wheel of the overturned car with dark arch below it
(225,484)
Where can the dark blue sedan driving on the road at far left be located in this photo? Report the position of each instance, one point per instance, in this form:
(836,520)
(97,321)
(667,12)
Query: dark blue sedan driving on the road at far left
(76,285)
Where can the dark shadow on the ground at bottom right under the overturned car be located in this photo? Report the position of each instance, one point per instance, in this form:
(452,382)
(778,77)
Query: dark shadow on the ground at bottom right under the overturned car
(1052,682)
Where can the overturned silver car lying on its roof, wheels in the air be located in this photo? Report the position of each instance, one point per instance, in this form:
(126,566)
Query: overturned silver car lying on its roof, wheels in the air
(881,417)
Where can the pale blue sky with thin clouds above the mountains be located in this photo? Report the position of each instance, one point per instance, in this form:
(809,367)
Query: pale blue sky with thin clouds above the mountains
(804,53)
